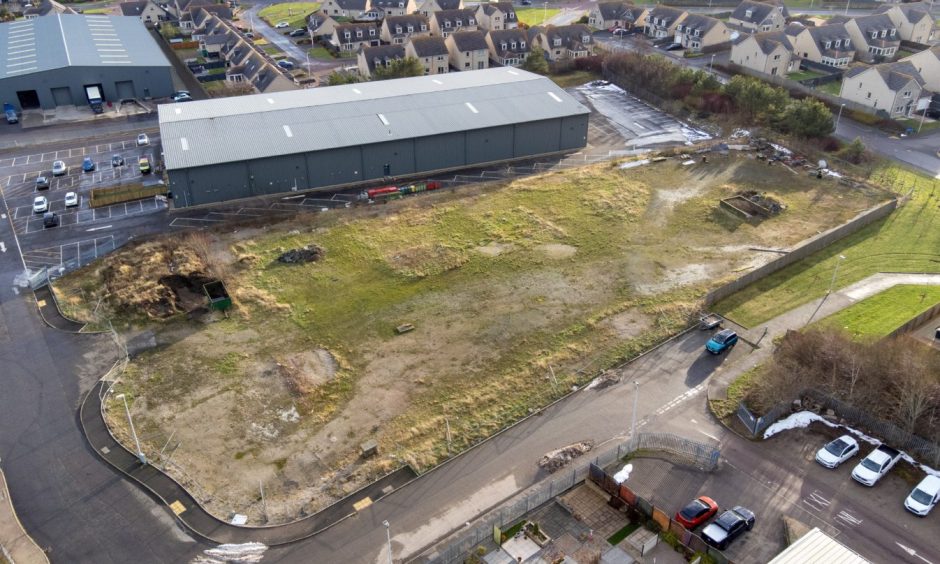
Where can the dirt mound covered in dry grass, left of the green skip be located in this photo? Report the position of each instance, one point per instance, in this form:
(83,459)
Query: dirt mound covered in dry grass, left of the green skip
(158,278)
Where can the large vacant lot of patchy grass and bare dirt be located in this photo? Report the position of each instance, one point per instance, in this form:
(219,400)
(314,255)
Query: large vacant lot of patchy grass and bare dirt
(505,283)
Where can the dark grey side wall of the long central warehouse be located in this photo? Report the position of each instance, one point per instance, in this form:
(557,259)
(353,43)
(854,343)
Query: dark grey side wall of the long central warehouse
(351,165)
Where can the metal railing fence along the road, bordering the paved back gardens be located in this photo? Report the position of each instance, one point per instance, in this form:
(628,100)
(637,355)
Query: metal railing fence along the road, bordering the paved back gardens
(456,548)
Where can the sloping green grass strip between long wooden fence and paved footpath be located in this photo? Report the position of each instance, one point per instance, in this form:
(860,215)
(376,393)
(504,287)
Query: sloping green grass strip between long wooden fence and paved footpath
(906,241)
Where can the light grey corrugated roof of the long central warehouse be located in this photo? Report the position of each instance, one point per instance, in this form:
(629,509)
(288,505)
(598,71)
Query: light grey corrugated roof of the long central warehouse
(213,131)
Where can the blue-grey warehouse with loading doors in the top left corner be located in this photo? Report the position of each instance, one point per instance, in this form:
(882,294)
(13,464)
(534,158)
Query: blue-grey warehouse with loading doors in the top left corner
(51,61)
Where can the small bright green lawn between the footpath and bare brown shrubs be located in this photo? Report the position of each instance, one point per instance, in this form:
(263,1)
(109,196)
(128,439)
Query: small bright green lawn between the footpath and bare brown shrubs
(884,312)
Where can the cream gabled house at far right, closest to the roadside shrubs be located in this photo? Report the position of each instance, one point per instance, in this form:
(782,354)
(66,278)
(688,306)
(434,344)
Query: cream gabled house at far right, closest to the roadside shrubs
(893,87)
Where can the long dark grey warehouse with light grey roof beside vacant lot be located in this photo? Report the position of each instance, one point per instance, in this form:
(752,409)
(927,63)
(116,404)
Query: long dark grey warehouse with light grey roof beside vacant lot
(226,149)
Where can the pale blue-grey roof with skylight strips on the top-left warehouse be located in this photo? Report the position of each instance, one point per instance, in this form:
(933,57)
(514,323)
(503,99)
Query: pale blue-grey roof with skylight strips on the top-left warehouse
(62,40)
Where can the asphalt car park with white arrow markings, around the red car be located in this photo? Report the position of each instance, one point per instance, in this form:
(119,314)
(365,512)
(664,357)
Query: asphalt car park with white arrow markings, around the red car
(779,478)
